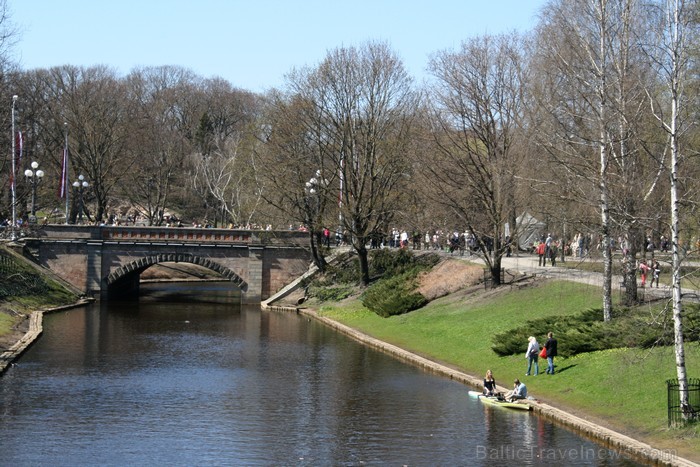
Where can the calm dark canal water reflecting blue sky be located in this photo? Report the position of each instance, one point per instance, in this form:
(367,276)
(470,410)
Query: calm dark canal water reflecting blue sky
(198,381)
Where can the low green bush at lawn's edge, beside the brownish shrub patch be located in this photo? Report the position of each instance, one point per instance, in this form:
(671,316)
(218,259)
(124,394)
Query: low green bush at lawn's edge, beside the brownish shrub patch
(394,296)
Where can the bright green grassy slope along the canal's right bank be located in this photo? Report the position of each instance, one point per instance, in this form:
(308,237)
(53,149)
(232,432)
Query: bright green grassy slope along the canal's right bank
(624,389)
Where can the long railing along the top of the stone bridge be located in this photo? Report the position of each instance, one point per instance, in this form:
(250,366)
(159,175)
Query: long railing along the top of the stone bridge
(171,234)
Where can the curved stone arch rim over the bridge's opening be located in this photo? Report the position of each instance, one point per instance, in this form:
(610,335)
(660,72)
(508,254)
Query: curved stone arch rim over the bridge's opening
(136,267)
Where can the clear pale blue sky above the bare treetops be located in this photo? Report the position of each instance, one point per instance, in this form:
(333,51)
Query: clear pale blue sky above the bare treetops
(250,43)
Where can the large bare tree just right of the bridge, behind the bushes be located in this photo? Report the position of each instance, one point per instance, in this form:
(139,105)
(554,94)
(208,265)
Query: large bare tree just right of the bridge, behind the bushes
(361,103)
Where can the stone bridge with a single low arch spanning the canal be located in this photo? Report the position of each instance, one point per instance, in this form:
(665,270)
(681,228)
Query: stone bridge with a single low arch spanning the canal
(107,261)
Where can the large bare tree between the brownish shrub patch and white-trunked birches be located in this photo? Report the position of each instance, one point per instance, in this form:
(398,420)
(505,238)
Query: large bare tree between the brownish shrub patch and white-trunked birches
(477,102)
